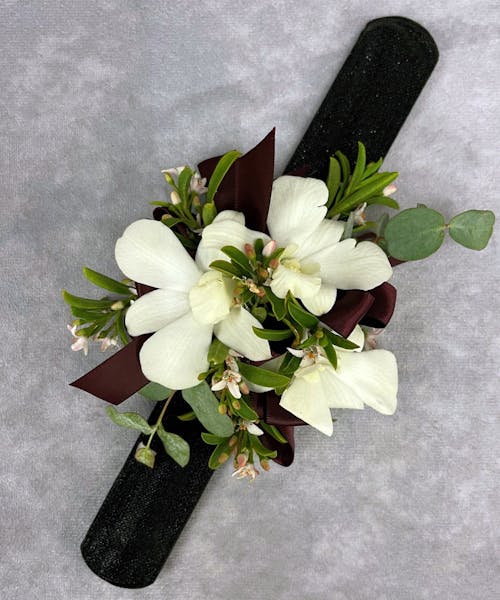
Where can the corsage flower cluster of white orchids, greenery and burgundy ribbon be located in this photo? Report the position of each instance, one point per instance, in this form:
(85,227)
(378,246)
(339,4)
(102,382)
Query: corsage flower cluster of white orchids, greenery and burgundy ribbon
(262,329)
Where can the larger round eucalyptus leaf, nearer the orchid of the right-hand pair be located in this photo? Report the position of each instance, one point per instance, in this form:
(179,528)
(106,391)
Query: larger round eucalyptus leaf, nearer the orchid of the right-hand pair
(414,233)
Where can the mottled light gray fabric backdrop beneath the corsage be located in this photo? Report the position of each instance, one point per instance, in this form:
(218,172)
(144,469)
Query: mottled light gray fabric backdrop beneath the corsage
(96,98)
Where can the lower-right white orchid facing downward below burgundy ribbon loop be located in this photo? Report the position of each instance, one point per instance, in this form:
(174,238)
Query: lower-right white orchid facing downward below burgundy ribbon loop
(361,378)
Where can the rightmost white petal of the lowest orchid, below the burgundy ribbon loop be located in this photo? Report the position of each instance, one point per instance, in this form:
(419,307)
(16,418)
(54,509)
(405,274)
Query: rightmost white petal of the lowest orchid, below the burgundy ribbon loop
(373,376)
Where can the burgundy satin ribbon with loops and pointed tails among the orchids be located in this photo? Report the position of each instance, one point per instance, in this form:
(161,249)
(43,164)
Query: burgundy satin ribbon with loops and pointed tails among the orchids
(247,189)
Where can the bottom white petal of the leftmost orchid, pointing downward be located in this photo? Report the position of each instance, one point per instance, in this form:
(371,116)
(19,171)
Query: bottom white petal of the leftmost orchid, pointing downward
(176,354)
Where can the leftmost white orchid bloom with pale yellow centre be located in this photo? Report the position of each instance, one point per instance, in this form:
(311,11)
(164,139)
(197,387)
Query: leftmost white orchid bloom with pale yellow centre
(190,304)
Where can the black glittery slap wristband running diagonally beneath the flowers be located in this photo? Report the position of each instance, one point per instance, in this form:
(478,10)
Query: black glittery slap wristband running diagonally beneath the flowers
(146,509)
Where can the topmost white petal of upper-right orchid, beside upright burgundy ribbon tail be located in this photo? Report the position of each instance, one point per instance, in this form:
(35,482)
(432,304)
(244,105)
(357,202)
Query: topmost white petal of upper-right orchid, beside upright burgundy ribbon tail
(296,208)
